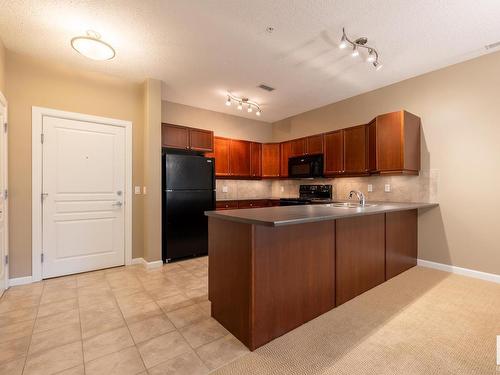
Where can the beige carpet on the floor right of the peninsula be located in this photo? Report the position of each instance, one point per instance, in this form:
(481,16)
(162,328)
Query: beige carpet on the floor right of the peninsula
(421,322)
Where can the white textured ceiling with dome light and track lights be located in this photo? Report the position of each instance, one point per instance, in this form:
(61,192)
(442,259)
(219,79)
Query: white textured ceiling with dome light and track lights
(202,48)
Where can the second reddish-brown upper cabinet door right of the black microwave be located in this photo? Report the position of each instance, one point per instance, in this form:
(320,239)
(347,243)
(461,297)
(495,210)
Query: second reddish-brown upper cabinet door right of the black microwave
(355,158)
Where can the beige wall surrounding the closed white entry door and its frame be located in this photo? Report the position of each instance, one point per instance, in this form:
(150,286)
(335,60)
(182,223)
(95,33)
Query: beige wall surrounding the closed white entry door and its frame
(33,83)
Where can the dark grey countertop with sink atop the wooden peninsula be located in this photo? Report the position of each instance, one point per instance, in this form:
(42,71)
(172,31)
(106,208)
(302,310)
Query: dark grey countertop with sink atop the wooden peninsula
(288,215)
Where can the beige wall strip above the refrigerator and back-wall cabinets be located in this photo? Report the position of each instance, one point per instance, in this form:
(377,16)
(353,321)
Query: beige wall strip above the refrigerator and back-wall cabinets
(222,124)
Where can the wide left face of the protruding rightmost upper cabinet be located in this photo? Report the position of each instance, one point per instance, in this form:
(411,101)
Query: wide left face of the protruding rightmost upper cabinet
(389,142)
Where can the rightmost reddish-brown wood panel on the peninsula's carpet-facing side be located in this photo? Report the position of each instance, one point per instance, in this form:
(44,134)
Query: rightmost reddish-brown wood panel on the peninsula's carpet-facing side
(401,242)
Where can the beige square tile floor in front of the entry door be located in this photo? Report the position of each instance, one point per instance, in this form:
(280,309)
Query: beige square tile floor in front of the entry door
(125,320)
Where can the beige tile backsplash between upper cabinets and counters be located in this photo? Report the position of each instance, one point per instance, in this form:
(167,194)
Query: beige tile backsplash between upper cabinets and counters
(422,188)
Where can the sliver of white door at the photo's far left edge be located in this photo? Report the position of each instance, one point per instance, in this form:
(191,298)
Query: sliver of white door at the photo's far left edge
(4,242)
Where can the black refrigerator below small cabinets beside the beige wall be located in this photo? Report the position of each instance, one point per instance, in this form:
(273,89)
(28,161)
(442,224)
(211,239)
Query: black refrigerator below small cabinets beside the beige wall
(188,191)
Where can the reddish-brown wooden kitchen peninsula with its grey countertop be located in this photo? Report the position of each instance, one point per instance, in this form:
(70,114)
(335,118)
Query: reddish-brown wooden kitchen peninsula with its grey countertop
(273,269)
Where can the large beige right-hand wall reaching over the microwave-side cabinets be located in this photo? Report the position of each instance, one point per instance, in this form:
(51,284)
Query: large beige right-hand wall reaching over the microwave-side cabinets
(460,111)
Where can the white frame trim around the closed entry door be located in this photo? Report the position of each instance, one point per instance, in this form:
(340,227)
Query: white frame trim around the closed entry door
(36,163)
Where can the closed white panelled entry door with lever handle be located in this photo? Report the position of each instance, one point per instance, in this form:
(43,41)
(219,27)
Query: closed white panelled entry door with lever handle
(83,196)
